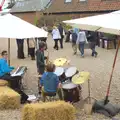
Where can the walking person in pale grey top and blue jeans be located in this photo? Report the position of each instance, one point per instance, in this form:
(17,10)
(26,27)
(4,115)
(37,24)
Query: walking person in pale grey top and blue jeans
(81,40)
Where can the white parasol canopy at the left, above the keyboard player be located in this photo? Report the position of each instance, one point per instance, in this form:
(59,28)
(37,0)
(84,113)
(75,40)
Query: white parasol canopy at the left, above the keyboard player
(14,27)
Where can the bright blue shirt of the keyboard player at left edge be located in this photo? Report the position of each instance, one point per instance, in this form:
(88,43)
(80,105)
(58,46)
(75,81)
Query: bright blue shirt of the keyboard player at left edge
(4,67)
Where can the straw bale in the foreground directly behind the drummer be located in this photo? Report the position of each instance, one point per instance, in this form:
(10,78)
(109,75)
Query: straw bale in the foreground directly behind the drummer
(58,110)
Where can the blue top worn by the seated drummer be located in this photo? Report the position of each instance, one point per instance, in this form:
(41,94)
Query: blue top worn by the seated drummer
(50,82)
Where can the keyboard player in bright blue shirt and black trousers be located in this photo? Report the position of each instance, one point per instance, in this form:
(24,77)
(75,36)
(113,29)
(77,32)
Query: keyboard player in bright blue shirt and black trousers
(5,70)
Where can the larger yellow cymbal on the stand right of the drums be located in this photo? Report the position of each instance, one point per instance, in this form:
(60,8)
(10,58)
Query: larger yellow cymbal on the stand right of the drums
(81,77)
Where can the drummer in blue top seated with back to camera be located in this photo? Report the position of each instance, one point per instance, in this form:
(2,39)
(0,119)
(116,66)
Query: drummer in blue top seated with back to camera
(50,82)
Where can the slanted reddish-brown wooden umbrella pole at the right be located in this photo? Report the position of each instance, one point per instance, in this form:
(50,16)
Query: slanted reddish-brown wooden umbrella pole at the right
(108,89)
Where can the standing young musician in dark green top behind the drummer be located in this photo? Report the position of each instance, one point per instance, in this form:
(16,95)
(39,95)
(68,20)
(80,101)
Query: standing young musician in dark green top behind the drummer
(40,58)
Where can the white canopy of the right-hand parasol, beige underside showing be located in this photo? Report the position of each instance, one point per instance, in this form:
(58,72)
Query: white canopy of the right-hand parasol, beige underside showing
(108,23)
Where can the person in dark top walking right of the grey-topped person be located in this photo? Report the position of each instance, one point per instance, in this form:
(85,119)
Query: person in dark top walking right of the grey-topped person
(92,38)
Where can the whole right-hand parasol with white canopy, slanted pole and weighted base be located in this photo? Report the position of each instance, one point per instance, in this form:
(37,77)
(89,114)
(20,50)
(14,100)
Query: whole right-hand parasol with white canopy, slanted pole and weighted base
(106,23)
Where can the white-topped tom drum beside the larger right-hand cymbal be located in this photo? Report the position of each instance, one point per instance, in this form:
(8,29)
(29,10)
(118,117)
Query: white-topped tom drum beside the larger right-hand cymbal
(70,72)
